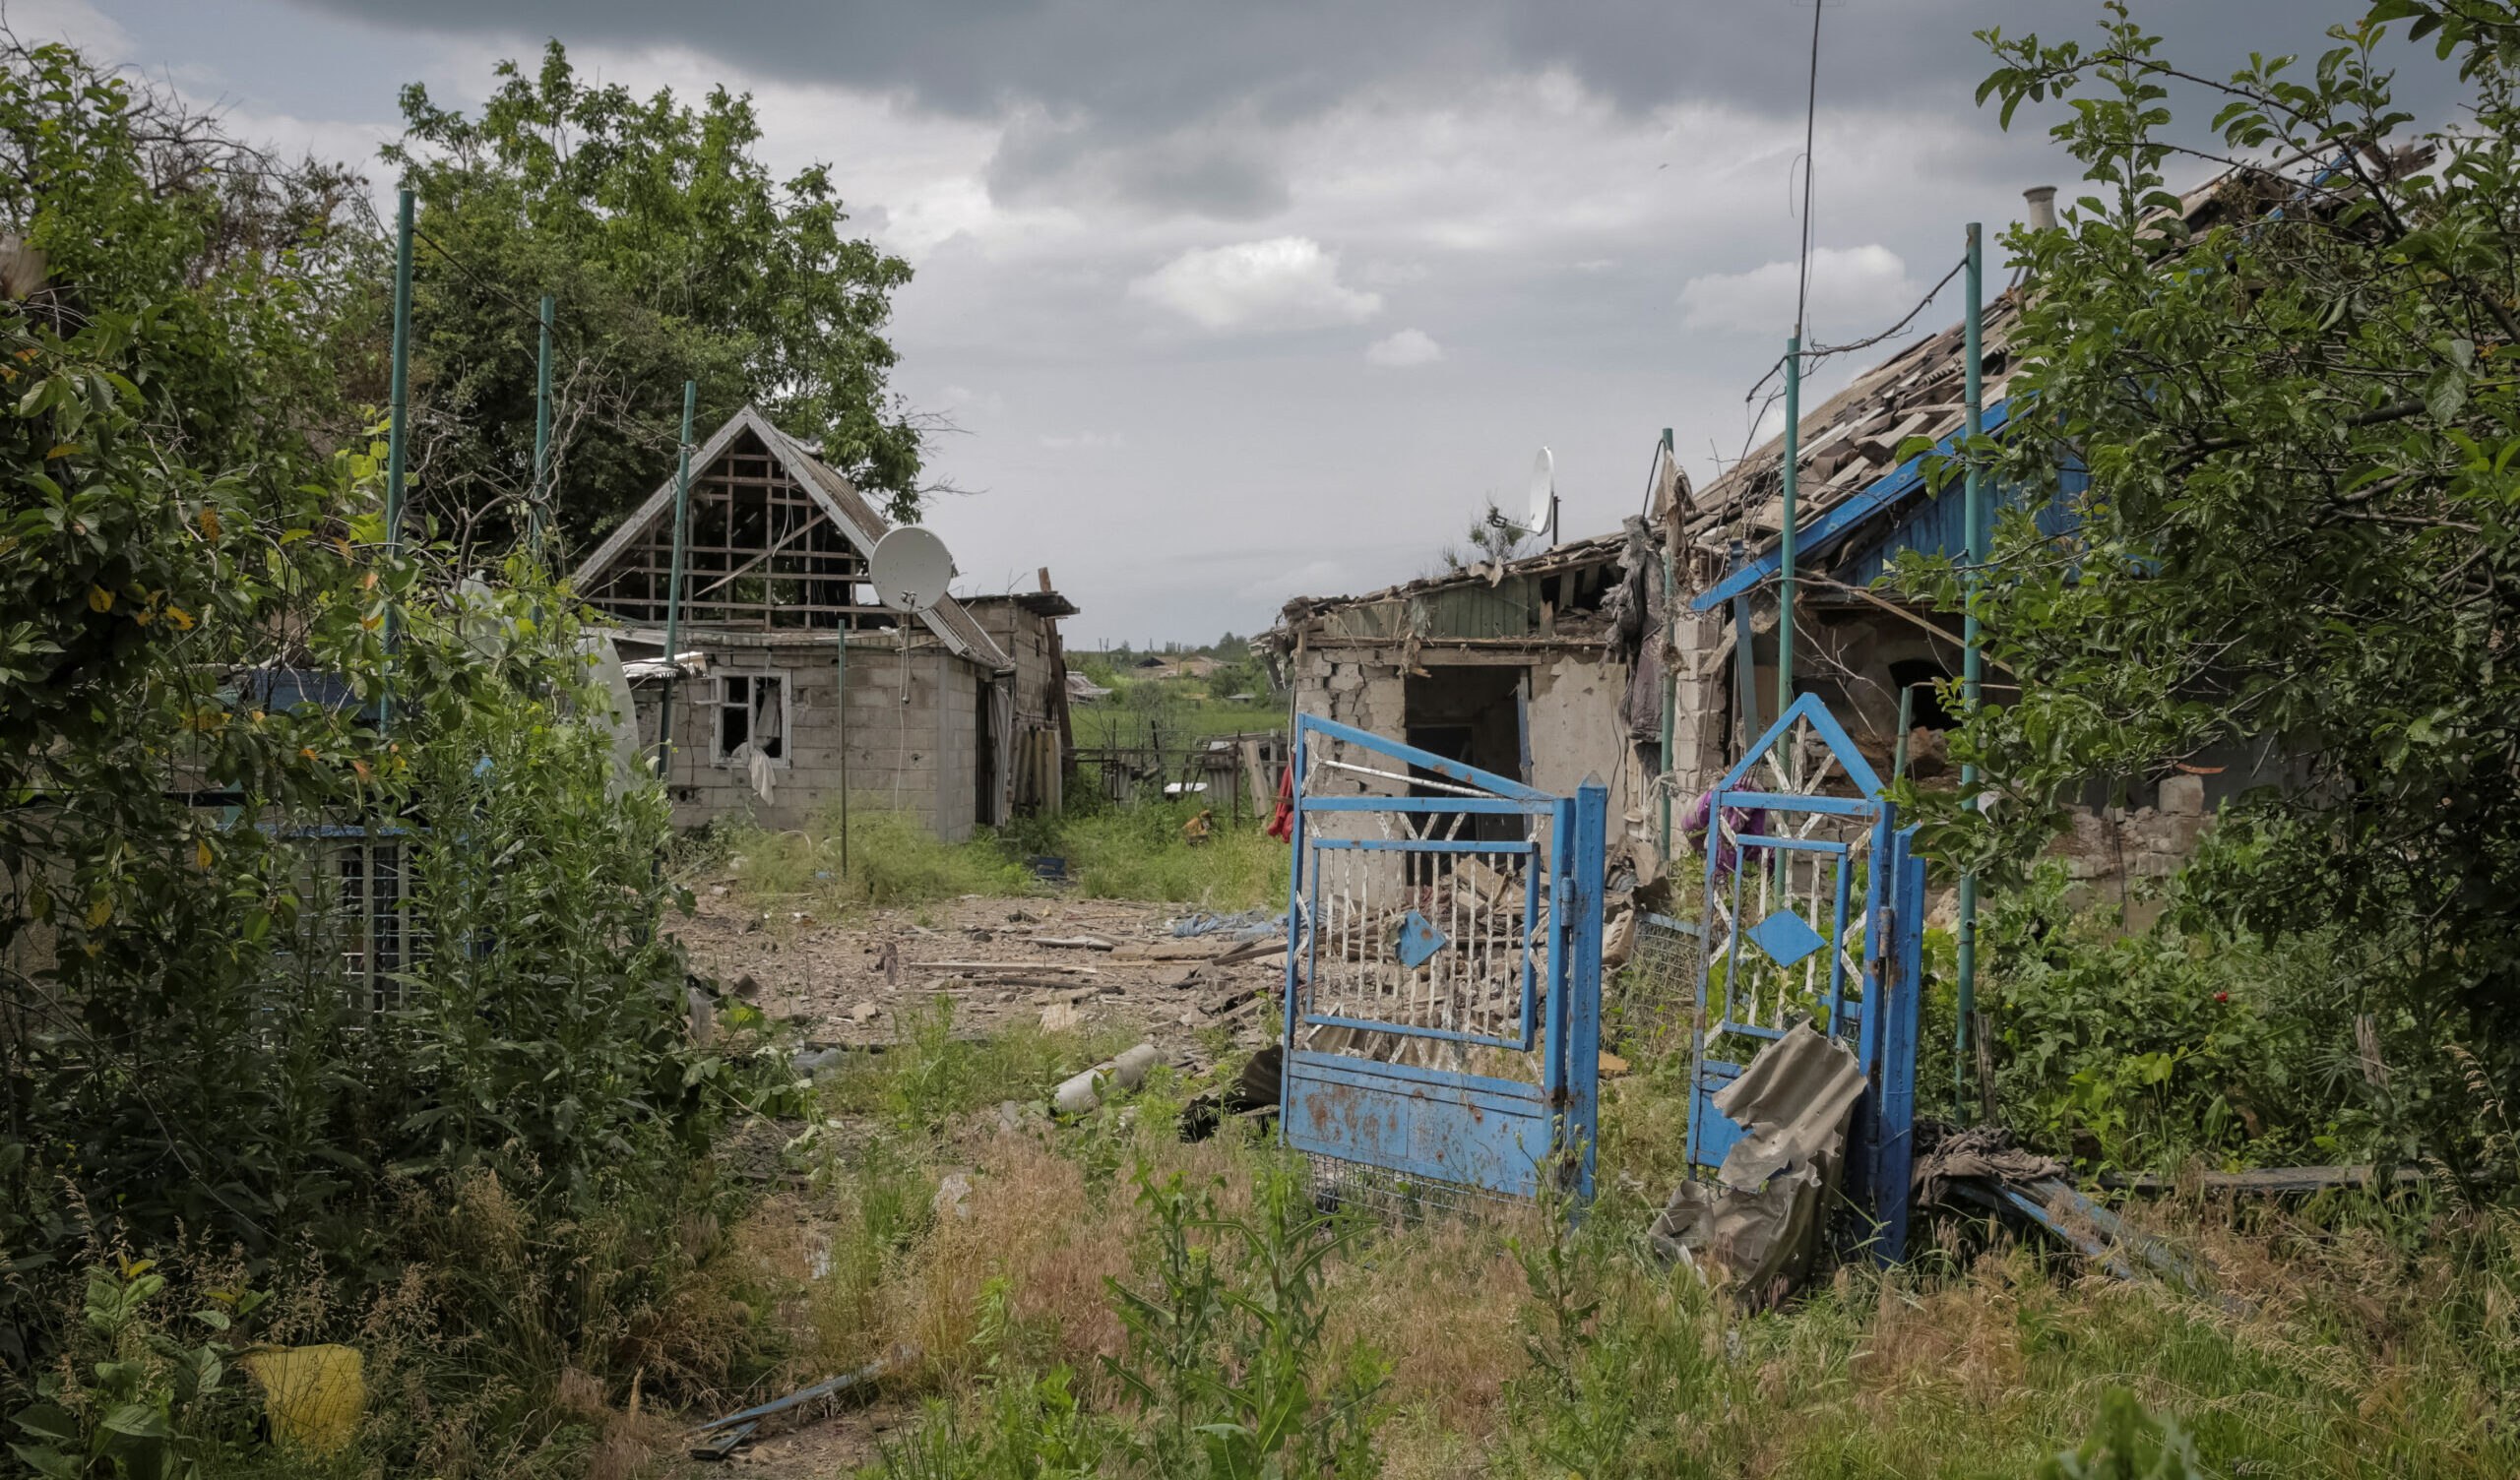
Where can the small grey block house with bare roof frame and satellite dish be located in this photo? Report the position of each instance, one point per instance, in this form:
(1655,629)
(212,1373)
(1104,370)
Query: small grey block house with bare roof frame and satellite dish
(793,681)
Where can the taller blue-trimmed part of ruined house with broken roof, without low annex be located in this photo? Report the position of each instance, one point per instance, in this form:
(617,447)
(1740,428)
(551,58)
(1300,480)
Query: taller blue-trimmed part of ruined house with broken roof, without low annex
(1869,648)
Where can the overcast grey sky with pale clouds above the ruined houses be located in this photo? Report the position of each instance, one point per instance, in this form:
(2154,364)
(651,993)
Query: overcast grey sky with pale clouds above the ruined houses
(1244,301)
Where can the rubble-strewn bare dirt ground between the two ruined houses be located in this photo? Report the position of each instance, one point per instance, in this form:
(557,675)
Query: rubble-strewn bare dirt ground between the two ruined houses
(1004,963)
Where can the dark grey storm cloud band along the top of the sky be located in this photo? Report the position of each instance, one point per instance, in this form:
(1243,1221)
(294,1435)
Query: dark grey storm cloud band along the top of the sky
(1176,104)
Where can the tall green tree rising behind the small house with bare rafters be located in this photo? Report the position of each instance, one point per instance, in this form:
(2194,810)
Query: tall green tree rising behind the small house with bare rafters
(672,258)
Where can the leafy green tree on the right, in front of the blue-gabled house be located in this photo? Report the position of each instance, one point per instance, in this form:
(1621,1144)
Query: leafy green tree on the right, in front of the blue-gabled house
(2302,424)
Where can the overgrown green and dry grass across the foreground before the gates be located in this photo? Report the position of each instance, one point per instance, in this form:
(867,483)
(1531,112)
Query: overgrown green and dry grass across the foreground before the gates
(1105,1295)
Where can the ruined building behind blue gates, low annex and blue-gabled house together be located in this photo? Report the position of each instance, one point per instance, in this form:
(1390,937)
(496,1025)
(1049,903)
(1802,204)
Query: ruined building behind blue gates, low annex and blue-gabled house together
(1649,658)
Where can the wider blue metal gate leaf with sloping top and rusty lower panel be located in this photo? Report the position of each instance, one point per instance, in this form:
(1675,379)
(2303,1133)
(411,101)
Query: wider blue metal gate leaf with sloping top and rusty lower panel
(1443,985)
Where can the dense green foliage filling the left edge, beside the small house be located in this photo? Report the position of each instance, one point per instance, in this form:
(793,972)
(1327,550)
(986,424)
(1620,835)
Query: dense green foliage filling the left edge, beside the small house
(200,618)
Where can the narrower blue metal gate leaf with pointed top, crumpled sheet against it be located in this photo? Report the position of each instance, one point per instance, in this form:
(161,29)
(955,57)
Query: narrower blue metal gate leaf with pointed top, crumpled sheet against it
(1783,872)
